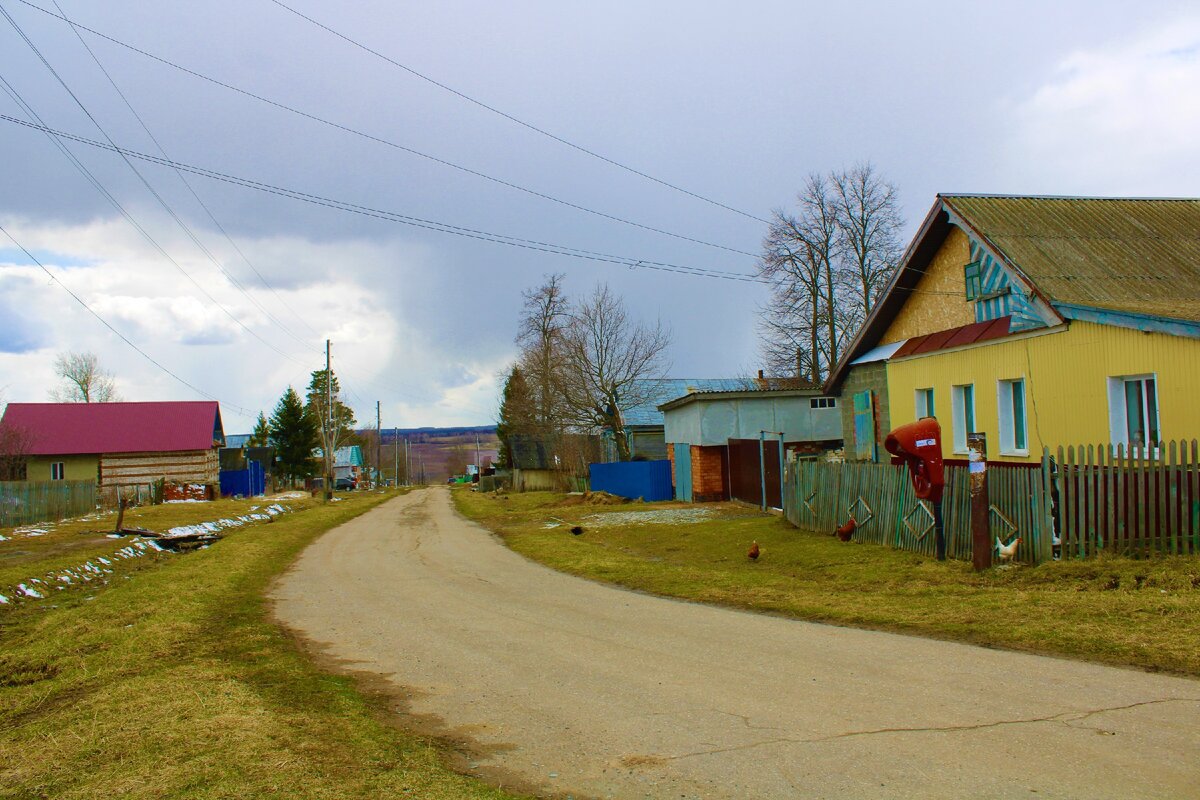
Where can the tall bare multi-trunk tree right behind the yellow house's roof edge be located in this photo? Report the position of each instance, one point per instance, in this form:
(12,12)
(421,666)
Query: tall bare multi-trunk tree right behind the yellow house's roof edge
(826,267)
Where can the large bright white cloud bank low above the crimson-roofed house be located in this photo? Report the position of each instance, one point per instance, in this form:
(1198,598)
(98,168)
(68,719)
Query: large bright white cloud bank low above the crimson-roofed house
(355,292)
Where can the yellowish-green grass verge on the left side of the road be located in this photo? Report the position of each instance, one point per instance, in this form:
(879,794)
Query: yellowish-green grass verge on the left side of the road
(173,682)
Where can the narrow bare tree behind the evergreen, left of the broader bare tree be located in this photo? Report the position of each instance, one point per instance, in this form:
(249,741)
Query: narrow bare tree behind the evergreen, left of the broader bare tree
(545,317)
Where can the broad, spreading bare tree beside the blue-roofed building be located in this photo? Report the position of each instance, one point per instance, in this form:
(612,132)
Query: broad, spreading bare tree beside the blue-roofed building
(607,363)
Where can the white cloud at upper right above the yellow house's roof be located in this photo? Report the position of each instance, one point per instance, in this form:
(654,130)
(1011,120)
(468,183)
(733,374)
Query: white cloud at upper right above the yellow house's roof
(1118,121)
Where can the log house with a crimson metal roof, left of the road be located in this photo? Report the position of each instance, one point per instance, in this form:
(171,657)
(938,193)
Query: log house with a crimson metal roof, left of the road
(121,444)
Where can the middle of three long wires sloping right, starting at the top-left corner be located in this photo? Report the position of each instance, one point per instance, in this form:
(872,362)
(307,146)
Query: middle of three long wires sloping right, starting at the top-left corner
(382,141)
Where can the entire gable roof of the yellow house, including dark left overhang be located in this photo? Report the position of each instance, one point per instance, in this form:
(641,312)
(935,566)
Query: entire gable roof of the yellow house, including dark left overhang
(1137,257)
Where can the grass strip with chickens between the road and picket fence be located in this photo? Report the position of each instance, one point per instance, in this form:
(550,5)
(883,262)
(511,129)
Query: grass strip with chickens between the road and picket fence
(1142,613)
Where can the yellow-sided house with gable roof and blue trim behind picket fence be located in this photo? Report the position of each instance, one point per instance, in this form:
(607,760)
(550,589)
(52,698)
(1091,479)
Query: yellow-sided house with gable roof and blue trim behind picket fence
(1040,322)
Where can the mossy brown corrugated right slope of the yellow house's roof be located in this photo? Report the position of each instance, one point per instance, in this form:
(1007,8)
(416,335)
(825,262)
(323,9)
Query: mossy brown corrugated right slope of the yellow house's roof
(1139,256)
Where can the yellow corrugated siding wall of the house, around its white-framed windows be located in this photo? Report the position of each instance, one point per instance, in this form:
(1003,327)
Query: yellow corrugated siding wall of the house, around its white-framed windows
(1066,376)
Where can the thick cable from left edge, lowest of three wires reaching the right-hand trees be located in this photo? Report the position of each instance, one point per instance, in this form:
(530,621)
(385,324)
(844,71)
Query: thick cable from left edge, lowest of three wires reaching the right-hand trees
(392,216)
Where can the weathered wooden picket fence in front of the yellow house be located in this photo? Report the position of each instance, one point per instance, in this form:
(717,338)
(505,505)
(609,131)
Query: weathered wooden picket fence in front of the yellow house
(1082,502)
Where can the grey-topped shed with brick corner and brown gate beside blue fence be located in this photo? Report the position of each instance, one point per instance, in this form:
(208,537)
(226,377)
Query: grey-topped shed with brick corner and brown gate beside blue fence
(719,442)
